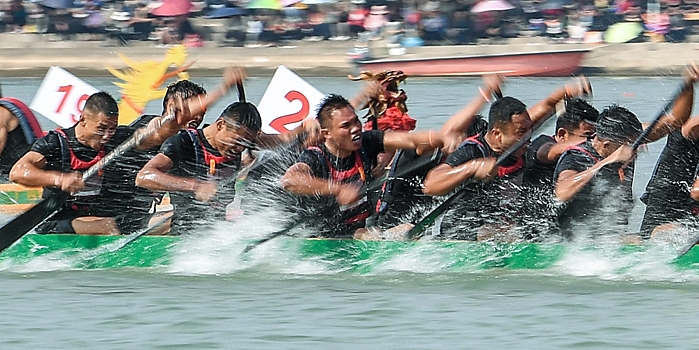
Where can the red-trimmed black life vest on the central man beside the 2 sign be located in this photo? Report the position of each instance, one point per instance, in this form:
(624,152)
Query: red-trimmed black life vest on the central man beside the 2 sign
(361,171)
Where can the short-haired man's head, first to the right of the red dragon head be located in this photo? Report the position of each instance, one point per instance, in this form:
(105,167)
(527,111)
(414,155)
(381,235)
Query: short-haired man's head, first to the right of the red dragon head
(508,122)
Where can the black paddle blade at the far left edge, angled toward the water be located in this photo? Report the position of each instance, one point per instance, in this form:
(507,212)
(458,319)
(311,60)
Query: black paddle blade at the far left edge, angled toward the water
(19,226)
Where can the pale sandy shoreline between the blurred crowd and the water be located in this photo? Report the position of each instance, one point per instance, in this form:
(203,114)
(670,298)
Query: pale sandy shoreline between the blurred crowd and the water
(24,55)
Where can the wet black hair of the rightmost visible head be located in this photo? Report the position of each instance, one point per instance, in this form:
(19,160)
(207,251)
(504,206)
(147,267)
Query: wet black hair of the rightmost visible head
(618,124)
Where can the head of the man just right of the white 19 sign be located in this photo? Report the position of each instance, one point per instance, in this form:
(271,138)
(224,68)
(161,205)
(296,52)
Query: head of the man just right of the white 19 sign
(98,121)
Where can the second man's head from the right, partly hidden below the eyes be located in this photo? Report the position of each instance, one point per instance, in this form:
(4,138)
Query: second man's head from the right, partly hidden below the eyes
(578,122)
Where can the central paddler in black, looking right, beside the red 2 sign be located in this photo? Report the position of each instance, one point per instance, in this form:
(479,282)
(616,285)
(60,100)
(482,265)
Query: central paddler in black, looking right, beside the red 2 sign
(332,178)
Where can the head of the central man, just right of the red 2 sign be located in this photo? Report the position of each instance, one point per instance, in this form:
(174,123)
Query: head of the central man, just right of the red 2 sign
(339,124)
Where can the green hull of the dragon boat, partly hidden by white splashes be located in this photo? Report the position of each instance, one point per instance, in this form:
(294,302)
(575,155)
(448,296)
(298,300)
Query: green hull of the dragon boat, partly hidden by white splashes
(89,252)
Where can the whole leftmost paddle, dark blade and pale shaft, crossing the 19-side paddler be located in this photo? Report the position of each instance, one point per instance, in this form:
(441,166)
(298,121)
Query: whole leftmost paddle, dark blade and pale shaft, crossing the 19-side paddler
(25,222)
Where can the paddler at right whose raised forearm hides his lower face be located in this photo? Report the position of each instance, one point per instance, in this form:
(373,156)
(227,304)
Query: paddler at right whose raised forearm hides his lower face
(591,179)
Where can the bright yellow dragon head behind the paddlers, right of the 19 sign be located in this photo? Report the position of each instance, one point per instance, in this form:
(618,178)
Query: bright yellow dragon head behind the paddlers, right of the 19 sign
(142,81)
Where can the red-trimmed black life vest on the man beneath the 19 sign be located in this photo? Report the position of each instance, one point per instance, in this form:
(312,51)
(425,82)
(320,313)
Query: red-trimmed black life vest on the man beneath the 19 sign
(70,162)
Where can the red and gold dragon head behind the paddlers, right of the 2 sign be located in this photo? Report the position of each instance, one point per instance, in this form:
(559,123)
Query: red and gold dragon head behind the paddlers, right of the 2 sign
(387,108)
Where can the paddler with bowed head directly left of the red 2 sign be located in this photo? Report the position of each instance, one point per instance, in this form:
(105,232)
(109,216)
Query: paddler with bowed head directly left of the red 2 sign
(199,166)
